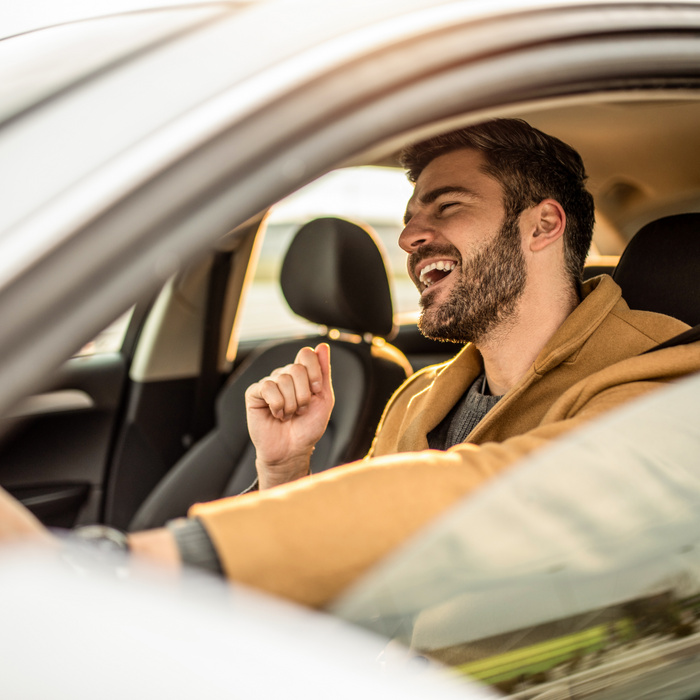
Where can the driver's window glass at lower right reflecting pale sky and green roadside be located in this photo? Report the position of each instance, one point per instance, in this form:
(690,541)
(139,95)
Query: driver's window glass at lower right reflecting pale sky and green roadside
(575,575)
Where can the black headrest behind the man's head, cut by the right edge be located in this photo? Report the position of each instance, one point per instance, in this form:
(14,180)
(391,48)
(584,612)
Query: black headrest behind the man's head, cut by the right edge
(660,268)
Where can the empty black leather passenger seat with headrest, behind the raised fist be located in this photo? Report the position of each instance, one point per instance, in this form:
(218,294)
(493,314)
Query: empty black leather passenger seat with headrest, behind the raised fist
(333,275)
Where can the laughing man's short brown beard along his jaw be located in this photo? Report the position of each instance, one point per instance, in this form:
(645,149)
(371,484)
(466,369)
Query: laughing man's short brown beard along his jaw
(485,294)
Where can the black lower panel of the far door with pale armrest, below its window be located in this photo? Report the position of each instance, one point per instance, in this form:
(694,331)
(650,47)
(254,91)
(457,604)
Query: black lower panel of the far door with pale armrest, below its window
(55,455)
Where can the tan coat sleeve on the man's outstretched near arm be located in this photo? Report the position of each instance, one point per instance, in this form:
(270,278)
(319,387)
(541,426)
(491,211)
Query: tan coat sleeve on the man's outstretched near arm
(309,540)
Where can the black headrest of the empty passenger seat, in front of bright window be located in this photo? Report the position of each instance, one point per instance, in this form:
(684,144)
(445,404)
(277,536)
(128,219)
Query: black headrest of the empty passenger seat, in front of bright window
(334,274)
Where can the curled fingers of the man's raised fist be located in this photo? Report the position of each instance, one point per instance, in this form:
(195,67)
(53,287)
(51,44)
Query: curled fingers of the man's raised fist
(289,390)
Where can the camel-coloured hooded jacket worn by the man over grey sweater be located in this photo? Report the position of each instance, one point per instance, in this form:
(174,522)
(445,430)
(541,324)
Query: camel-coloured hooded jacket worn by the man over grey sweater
(310,539)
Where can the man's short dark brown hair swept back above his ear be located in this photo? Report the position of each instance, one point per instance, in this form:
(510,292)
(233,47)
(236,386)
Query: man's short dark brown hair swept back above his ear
(531,166)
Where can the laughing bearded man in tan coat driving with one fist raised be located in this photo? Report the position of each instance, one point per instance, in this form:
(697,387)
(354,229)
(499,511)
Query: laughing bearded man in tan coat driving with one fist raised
(496,233)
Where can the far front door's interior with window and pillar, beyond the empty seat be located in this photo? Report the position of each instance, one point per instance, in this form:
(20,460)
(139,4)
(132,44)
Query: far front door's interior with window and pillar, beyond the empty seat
(119,414)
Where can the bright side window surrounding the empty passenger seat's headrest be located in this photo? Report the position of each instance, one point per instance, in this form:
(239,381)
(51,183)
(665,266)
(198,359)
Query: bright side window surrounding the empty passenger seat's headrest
(370,195)
